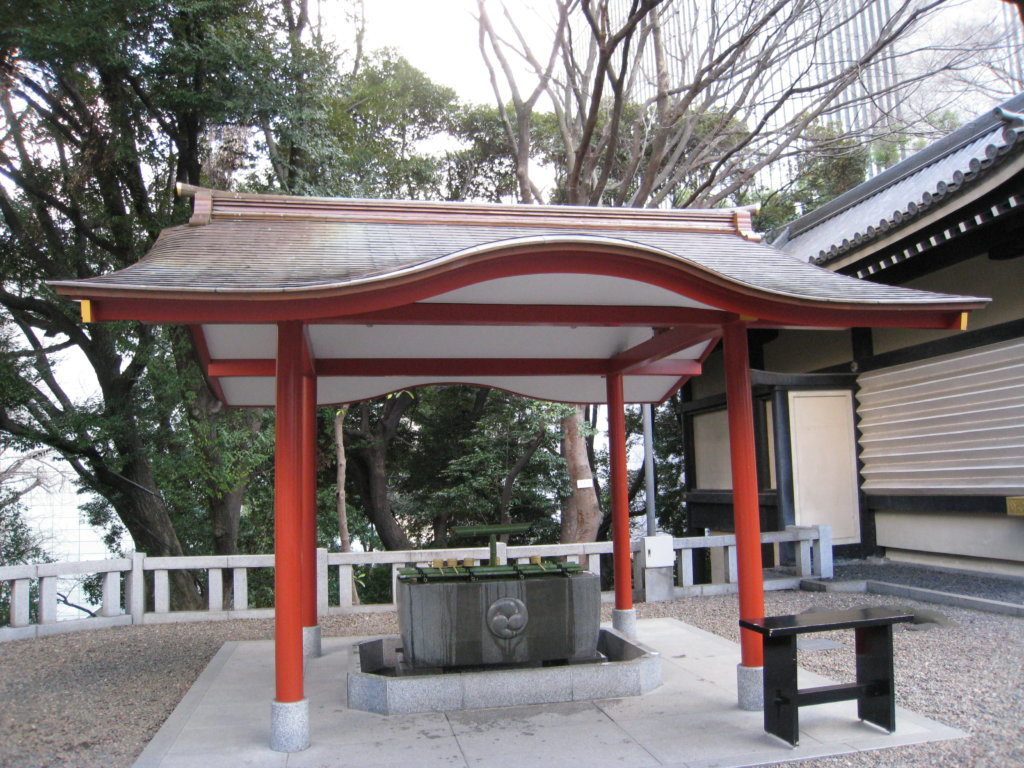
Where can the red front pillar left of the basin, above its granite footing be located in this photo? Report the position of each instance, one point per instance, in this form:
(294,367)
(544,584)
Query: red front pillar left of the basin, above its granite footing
(288,516)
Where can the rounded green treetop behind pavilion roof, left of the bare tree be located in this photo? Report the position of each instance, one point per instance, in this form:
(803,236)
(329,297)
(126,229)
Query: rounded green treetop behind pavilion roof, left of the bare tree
(374,133)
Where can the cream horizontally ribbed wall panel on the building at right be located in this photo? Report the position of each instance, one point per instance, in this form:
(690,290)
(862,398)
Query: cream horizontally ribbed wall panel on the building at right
(950,425)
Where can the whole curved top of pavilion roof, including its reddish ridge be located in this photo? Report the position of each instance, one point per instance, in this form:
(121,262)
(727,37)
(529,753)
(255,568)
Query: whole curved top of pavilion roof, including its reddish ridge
(249,244)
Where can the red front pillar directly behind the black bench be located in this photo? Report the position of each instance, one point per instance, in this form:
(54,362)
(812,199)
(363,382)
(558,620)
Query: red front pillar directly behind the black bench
(745,488)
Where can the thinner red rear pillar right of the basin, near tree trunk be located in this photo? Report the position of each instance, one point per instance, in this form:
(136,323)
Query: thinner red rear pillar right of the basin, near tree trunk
(620,494)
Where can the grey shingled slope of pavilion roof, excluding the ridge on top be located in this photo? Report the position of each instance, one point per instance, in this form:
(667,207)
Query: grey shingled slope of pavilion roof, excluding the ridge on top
(266,257)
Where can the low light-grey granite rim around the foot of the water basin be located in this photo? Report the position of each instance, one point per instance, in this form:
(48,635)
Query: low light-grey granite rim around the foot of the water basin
(627,669)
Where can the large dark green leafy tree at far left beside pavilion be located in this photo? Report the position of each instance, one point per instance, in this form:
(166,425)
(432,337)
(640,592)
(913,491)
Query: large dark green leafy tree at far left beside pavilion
(105,106)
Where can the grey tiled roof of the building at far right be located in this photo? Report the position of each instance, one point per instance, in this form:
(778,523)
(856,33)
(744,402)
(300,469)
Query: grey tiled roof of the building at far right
(934,178)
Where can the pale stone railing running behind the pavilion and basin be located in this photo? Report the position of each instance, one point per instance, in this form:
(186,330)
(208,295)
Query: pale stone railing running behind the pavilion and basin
(125,581)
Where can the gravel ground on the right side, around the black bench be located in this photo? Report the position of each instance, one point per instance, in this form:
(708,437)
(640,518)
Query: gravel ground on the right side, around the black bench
(965,669)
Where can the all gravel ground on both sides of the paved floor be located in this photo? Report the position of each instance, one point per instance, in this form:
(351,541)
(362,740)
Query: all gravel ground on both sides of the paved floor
(94,700)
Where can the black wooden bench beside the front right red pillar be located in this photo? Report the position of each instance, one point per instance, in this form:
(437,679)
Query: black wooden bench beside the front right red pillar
(874,690)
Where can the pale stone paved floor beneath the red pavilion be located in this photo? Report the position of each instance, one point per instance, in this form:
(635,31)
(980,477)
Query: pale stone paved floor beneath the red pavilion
(692,721)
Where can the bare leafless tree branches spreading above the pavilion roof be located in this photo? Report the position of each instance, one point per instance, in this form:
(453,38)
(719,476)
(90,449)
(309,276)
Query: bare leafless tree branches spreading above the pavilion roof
(691,102)
